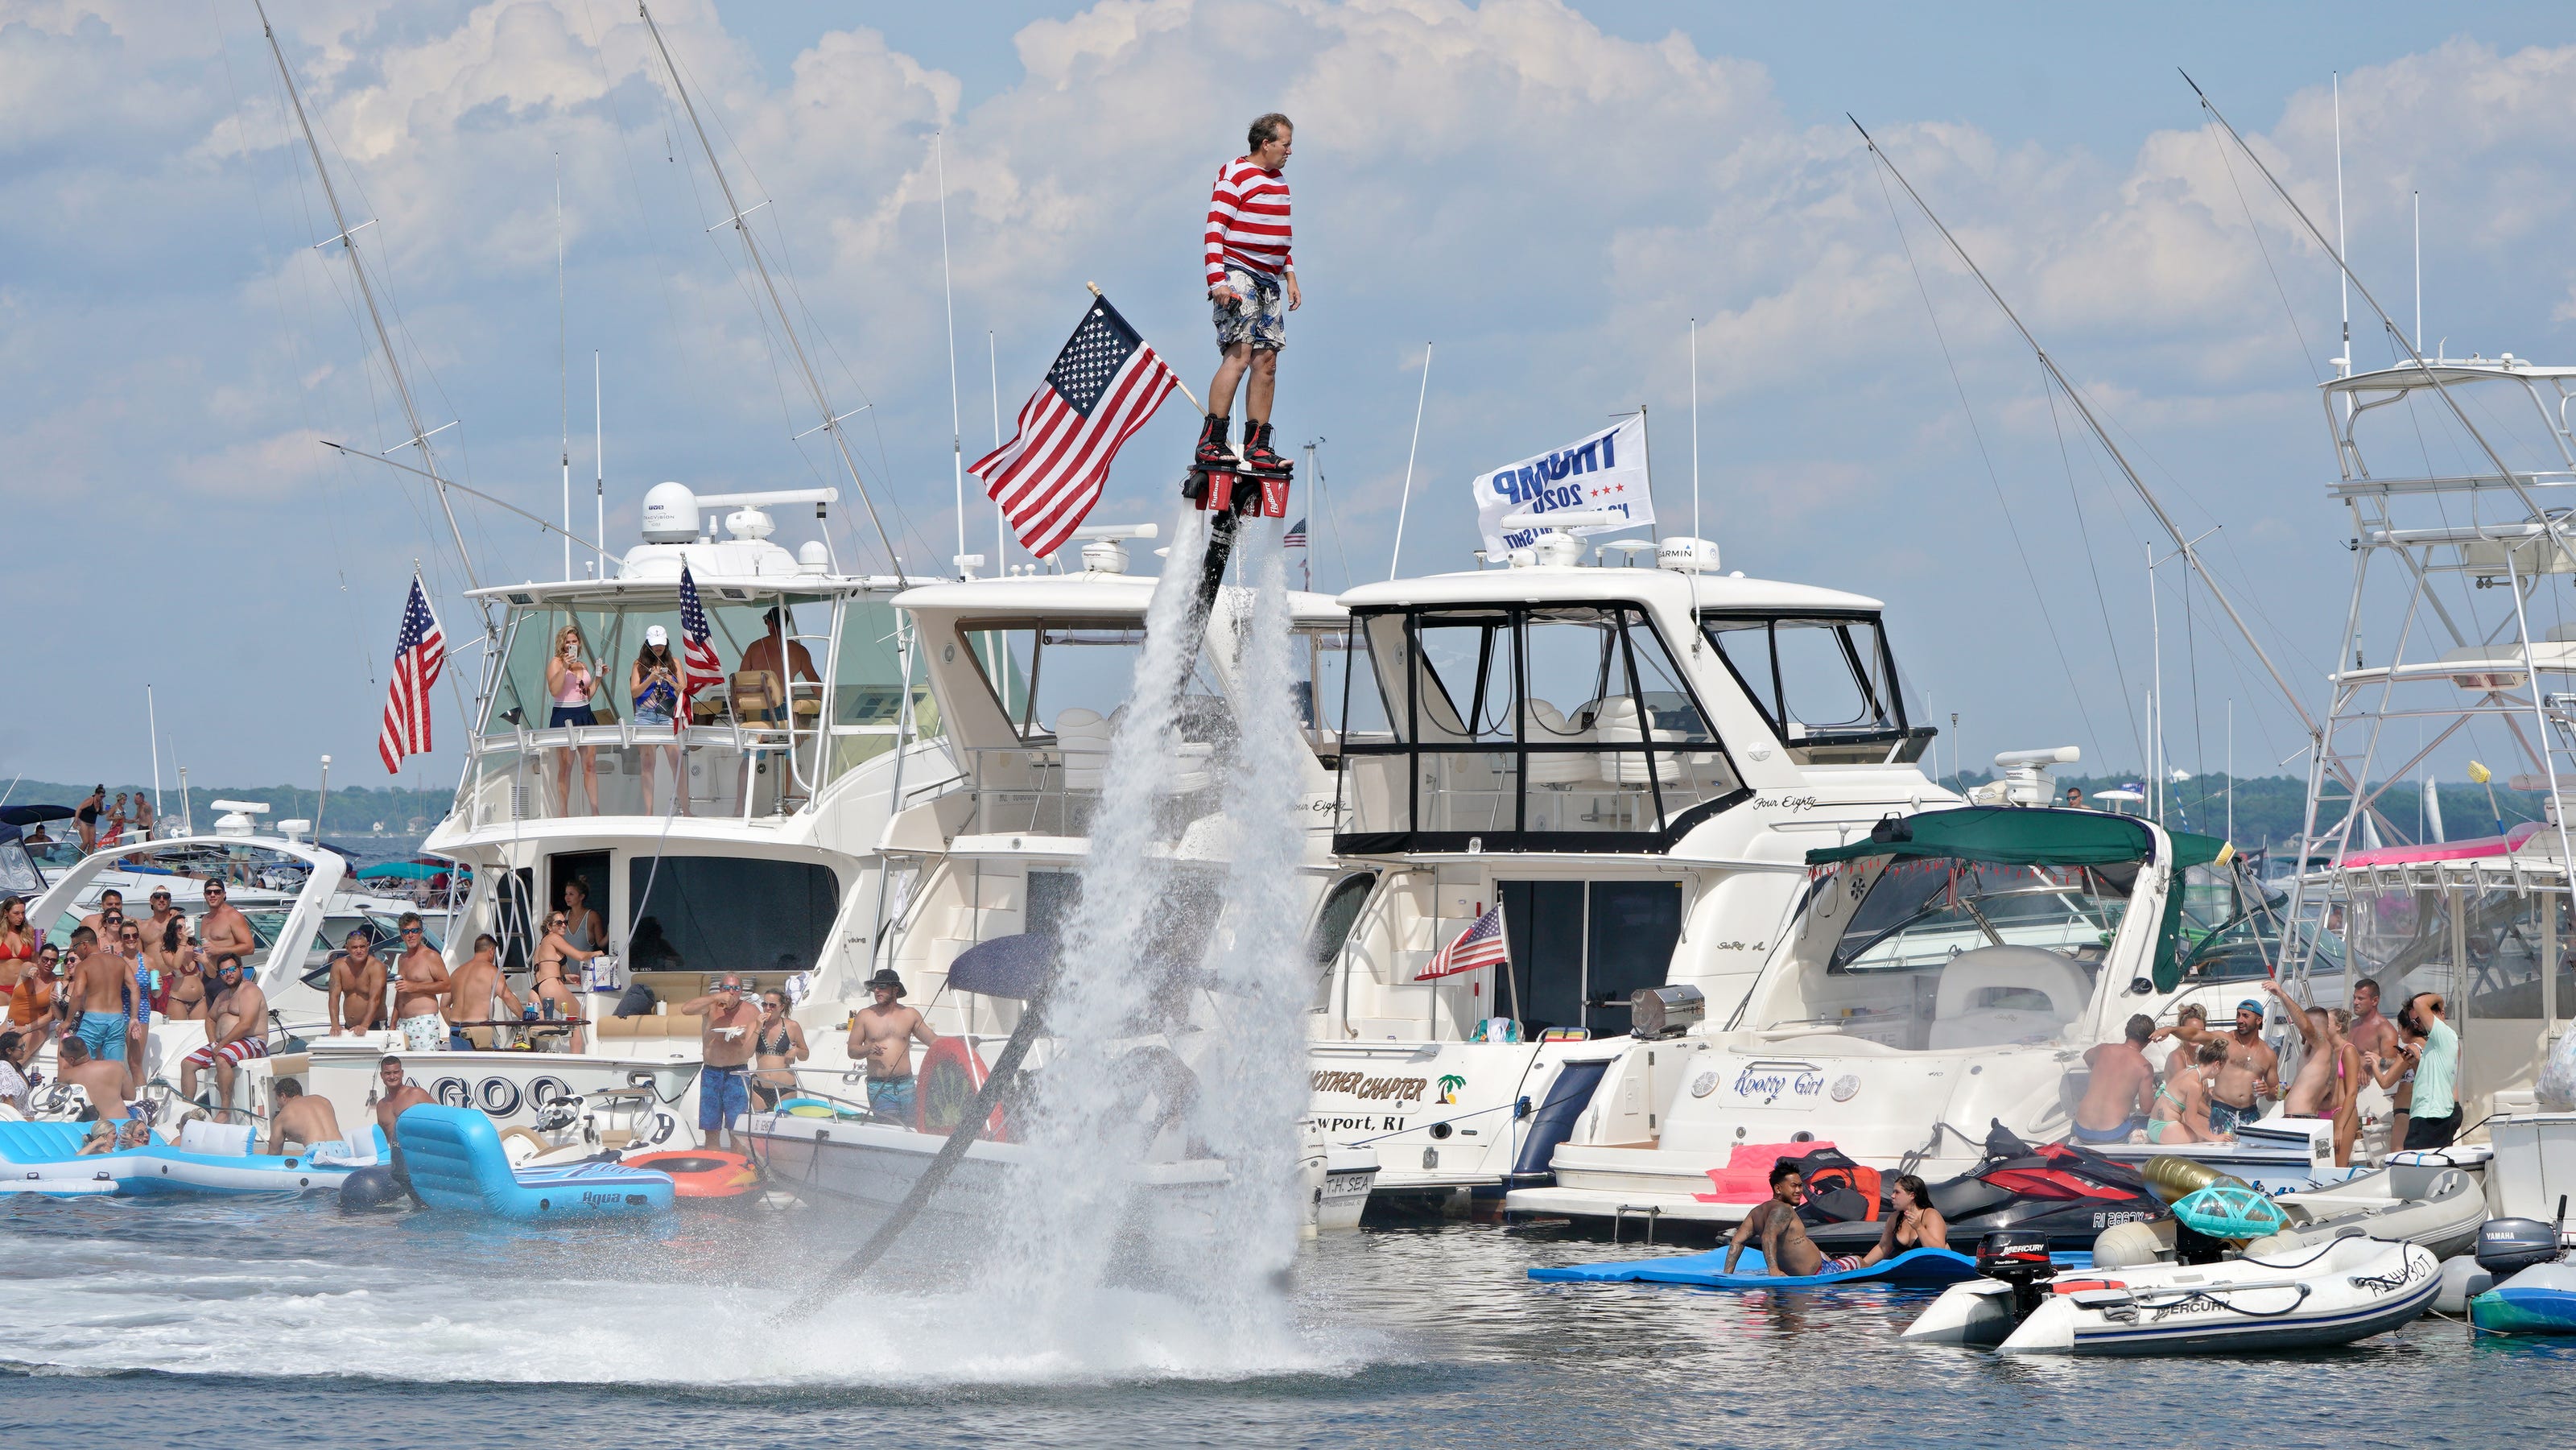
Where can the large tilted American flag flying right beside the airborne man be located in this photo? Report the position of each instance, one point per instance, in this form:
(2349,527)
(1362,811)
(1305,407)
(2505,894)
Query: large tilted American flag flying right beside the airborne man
(1104,388)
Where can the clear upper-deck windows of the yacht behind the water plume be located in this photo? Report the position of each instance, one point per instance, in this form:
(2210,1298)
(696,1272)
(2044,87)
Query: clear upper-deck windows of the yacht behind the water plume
(1055,668)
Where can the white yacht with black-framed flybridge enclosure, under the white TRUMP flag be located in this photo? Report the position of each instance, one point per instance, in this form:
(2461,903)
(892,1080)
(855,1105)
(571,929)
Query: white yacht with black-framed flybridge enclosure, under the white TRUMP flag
(1606,777)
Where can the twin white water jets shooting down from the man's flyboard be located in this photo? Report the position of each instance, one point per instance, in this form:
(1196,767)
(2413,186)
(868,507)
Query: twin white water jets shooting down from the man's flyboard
(1173,1026)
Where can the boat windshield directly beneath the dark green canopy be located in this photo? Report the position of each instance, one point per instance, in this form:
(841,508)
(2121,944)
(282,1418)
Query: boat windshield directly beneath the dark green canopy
(1954,954)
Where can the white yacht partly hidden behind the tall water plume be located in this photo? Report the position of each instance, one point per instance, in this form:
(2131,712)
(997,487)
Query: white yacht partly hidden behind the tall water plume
(1032,676)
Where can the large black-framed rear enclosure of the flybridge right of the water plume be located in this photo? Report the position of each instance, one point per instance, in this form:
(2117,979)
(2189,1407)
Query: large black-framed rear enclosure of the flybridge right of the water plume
(1526,728)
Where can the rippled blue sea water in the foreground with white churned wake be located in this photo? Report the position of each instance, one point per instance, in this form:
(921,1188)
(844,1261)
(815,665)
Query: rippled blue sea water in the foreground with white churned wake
(200,1323)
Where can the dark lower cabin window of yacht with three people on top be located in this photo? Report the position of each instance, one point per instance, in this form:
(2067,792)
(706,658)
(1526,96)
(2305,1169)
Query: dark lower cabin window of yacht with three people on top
(728,913)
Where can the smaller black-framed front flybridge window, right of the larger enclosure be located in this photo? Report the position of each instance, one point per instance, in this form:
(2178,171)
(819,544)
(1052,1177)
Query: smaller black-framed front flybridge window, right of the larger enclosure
(1825,684)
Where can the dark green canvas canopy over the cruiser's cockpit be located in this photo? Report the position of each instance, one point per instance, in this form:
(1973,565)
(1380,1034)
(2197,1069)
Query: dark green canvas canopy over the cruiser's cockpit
(2044,836)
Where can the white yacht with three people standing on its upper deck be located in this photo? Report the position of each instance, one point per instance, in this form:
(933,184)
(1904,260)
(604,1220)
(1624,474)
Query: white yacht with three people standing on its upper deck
(735,838)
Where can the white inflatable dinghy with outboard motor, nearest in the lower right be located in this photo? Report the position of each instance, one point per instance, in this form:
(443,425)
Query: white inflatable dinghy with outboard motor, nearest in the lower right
(2307,1299)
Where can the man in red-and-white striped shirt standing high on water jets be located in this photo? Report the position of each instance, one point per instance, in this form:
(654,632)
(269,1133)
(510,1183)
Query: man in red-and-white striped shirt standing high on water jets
(1253,290)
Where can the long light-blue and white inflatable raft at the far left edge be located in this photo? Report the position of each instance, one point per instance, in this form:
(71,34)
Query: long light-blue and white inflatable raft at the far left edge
(213,1158)
